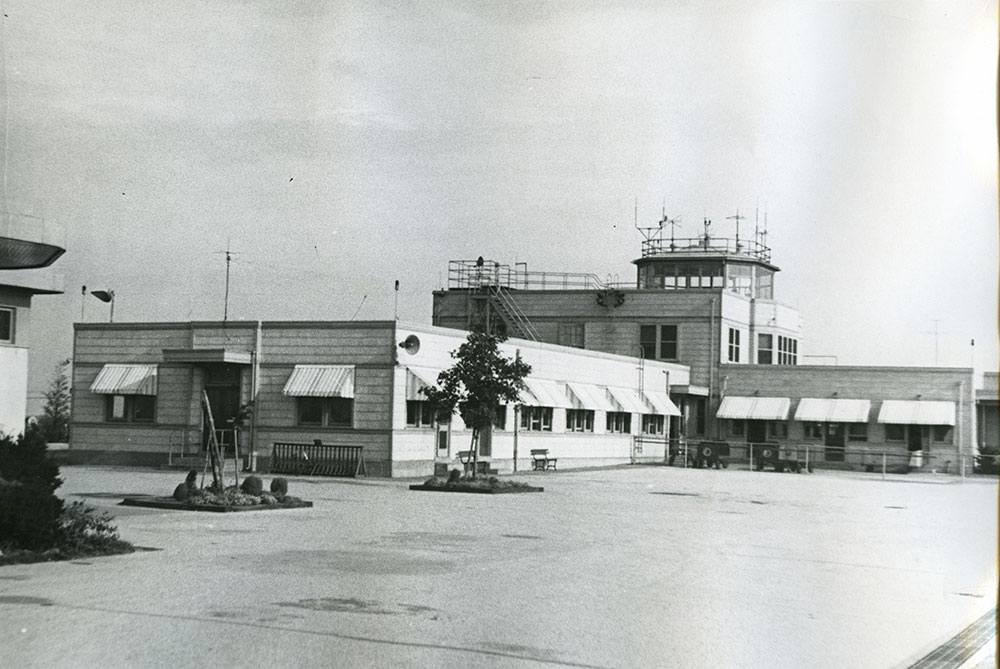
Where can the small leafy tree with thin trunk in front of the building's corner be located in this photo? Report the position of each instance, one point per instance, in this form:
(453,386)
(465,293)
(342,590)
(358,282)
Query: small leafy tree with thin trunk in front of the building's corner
(481,380)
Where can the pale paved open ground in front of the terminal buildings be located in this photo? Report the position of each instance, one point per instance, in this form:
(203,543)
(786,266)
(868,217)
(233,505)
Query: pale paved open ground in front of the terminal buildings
(630,567)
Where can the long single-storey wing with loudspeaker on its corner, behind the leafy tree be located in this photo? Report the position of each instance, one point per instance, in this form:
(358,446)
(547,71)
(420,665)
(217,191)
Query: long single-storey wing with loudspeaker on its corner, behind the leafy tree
(138,392)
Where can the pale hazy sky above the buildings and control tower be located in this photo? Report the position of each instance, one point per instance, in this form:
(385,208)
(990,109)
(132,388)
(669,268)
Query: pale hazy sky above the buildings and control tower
(336,147)
